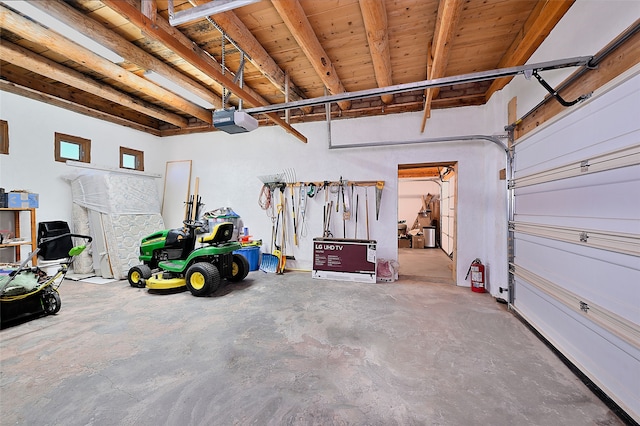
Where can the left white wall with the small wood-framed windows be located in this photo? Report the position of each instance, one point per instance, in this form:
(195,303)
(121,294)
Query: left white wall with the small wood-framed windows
(30,164)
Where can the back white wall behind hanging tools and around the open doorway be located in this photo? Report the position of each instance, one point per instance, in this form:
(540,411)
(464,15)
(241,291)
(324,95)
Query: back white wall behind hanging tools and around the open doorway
(229,165)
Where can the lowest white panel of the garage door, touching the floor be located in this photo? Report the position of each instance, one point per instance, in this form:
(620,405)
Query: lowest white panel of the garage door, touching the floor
(610,362)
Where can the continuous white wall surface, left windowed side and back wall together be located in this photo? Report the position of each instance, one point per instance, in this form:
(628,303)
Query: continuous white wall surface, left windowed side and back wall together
(229,165)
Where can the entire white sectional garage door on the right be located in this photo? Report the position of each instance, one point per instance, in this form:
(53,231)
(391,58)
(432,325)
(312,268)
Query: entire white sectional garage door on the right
(576,233)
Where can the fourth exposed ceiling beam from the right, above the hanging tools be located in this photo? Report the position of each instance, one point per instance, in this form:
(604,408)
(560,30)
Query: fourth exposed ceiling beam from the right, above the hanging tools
(296,21)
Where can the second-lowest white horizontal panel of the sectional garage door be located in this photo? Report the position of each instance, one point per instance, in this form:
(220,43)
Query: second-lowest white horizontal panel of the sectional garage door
(583,271)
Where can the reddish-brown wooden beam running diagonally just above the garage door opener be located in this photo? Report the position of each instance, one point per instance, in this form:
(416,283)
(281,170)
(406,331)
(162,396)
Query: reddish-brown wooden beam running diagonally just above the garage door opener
(192,54)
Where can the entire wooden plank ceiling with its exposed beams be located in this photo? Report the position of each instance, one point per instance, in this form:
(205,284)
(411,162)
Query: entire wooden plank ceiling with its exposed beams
(293,50)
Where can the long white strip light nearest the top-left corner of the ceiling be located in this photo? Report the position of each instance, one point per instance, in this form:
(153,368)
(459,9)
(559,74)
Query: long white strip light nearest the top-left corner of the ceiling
(63,29)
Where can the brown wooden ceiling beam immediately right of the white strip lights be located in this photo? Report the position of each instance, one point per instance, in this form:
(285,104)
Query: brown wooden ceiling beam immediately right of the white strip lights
(96,31)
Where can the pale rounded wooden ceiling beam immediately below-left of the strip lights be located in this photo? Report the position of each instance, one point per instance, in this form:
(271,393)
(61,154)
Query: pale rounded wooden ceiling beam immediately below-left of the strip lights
(63,46)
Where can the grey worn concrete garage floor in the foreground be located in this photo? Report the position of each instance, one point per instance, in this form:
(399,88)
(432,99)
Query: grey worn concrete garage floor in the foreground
(286,350)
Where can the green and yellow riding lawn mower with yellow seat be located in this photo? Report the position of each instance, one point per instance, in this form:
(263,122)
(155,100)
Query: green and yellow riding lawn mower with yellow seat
(170,259)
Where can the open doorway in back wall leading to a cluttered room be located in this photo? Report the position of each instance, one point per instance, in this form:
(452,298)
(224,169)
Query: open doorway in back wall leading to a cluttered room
(427,221)
